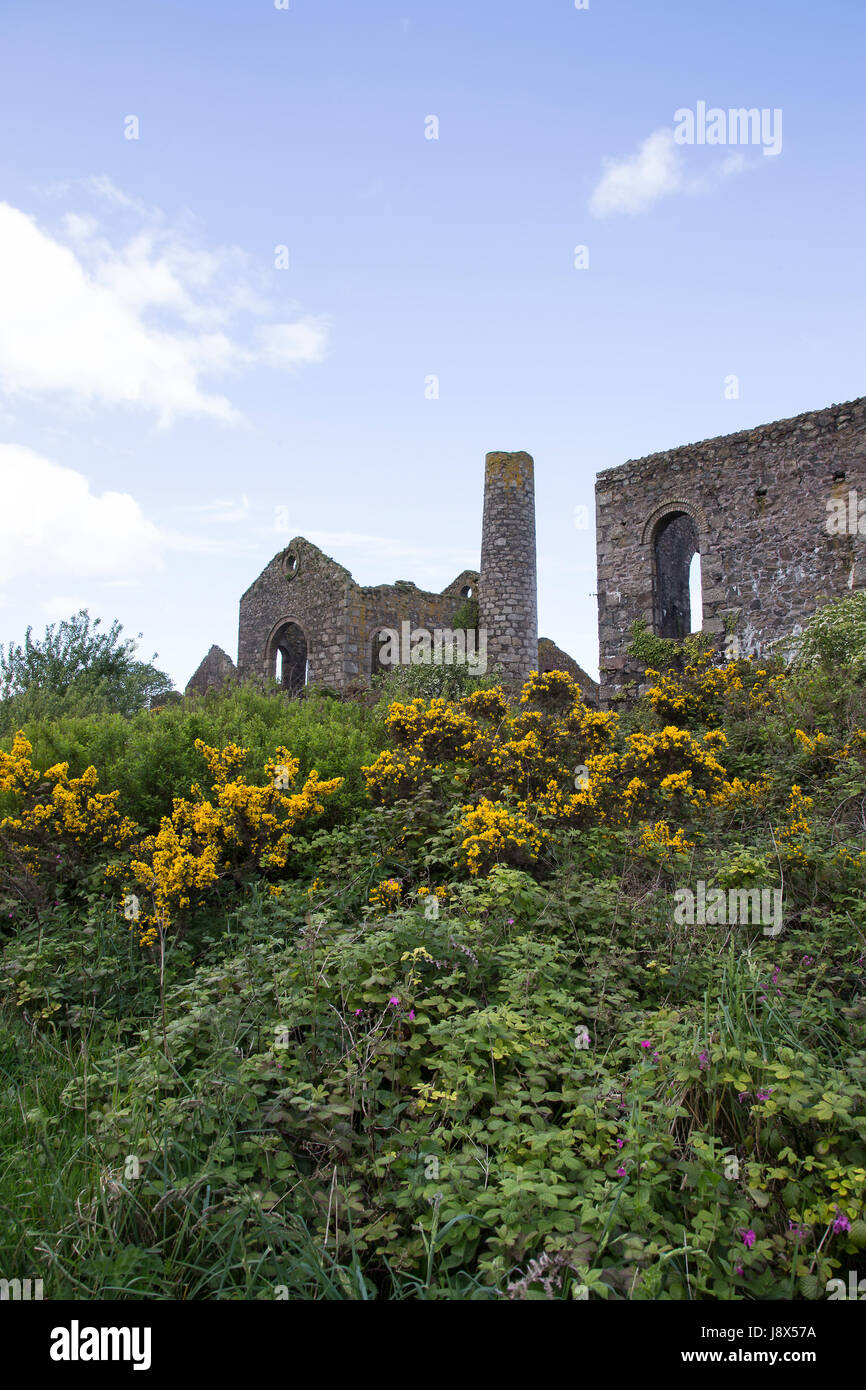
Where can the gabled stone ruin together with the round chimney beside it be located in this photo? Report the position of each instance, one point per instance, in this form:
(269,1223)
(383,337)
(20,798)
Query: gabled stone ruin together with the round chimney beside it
(307,621)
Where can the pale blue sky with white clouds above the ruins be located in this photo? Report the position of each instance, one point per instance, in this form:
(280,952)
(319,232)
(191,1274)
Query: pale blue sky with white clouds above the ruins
(174,407)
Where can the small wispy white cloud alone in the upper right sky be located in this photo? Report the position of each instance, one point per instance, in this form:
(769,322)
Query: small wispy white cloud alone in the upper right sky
(657,170)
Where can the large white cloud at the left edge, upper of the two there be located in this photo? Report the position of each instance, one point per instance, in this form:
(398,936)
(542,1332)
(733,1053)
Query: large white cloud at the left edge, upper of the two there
(134,325)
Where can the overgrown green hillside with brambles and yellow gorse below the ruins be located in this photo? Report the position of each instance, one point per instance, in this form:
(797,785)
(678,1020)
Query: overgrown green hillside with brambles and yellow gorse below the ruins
(344,1001)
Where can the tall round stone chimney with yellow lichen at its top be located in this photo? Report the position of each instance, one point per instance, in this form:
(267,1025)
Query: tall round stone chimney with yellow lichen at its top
(508,605)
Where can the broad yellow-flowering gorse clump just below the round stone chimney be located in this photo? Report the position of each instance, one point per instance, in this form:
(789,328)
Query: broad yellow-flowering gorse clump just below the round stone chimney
(521,767)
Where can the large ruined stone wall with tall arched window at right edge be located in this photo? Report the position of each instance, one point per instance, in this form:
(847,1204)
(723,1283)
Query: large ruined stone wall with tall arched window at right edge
(758,504)
